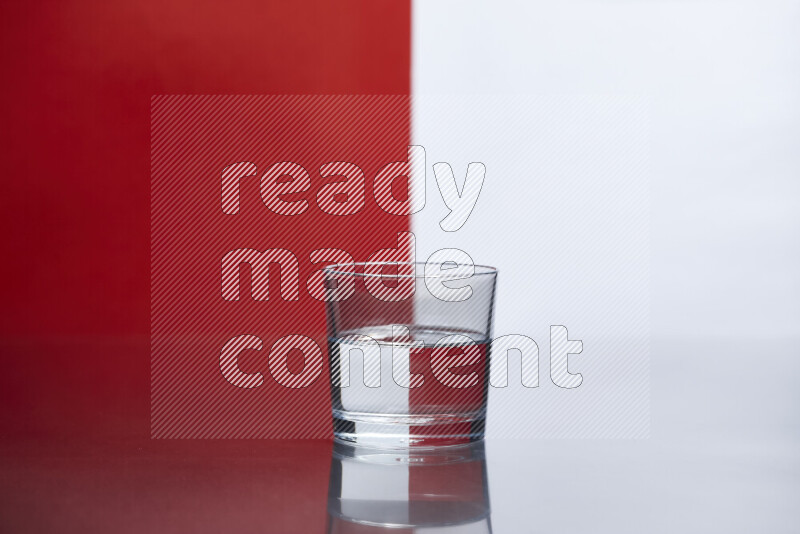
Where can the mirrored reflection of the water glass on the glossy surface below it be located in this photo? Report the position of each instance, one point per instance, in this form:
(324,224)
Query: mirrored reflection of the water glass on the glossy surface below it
(417,491)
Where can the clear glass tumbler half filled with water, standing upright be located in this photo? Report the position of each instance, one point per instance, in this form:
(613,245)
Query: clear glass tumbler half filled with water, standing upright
(409,352)
